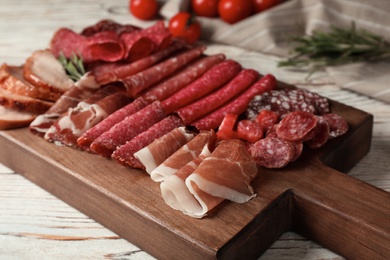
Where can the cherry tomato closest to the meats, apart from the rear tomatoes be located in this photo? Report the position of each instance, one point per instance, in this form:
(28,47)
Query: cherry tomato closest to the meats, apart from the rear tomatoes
(184,25)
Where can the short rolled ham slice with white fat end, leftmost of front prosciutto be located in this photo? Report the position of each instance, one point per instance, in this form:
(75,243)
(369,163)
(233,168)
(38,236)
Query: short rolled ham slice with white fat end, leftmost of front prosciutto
(160,149)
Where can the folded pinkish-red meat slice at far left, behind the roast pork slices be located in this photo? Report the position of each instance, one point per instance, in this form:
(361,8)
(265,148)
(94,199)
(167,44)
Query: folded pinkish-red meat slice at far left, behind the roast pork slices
(102,46)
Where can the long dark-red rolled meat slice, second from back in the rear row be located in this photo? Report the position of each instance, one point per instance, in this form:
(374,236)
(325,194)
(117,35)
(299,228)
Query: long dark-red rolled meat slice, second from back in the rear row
(144,79)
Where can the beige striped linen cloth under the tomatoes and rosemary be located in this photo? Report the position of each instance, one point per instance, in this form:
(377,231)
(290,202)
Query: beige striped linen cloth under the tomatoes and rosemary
(270,32)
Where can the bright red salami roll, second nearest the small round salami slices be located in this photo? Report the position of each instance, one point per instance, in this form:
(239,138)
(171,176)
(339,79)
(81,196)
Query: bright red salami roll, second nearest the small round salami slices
(210,102)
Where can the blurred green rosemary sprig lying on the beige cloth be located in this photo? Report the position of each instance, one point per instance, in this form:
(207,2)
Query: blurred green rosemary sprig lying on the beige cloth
(336,47)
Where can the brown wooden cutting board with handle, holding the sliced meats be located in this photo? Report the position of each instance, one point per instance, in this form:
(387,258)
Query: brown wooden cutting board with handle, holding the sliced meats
(311,196)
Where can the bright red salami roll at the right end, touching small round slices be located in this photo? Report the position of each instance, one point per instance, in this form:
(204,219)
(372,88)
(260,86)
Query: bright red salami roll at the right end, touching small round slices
(236,106)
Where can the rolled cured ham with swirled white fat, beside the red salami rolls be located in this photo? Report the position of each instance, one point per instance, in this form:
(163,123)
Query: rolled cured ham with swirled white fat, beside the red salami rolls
(76,121)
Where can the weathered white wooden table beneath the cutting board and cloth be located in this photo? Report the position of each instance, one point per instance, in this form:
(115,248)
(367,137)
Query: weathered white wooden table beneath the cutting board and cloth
(36,225)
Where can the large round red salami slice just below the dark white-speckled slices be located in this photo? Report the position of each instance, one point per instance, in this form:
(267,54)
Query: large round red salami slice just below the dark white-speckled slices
(296,126)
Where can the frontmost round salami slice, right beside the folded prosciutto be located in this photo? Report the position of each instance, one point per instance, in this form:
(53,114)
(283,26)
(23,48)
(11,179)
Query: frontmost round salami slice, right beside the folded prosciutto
(272,152)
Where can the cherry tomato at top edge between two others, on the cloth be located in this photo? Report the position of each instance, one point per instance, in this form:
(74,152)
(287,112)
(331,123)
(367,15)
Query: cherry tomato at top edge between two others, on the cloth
(232,11)
